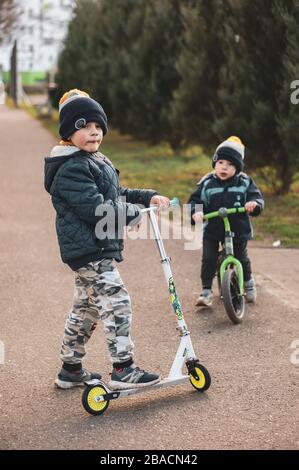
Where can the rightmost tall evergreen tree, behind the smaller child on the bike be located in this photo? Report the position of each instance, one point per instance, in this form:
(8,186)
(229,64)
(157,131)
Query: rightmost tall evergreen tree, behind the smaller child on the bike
(254,95)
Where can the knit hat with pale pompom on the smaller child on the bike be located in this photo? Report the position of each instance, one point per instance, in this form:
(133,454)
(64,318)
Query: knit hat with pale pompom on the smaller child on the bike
(232,150)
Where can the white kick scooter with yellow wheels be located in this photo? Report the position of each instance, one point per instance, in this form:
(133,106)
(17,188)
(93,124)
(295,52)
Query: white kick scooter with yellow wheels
(97,395)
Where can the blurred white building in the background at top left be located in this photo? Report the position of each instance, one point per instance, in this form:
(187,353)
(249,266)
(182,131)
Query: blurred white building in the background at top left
(40,30)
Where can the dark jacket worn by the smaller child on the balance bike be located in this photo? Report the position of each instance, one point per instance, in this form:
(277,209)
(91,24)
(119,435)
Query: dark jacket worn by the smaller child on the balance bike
(214,193)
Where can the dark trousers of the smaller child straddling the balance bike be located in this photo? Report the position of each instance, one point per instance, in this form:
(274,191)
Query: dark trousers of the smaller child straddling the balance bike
(210,250)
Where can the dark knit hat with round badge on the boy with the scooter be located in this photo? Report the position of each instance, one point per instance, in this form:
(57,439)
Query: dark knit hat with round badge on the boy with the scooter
(76,111)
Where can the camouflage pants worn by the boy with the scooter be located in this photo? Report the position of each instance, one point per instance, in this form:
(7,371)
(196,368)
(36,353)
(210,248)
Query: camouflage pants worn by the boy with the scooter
(99,294)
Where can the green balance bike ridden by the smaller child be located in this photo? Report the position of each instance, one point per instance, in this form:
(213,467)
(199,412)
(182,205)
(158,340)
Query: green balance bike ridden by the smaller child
(229,269)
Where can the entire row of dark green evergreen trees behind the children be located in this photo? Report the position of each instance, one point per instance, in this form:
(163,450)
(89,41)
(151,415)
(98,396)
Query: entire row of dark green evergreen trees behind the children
(193,72)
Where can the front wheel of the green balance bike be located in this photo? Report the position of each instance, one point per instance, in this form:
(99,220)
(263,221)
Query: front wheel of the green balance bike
(234,302)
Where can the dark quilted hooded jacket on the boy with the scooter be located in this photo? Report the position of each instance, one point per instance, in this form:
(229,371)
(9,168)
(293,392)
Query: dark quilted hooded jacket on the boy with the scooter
(85,191)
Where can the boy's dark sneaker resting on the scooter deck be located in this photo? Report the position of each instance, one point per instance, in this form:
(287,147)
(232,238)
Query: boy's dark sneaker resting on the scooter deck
(131,377)
